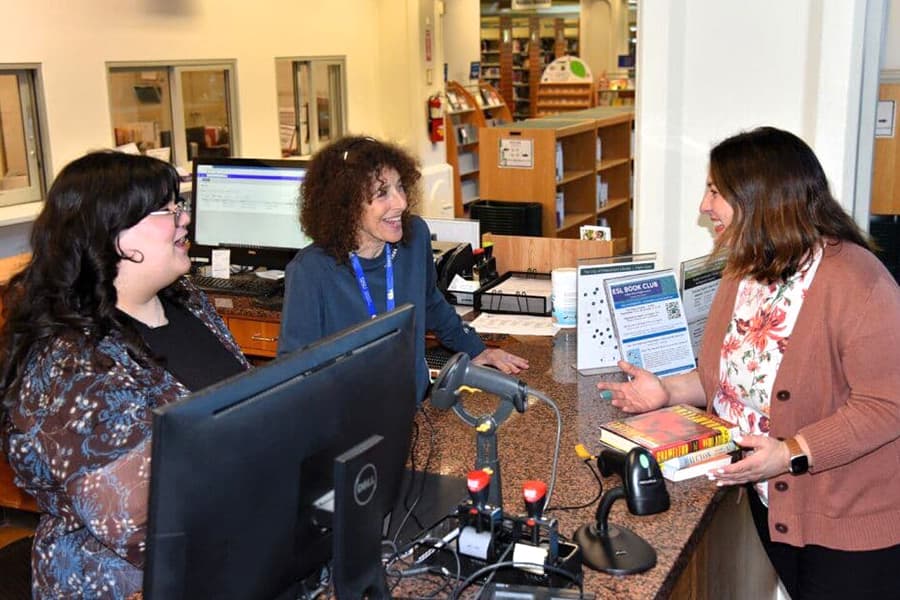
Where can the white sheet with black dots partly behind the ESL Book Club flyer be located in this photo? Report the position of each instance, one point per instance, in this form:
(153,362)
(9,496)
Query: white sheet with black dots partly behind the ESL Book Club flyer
(598,351)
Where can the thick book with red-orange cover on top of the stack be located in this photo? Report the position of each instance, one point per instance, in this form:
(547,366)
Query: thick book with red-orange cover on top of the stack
(669,432)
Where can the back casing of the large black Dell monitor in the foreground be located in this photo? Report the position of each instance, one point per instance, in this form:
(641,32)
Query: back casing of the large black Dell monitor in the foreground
(184,446)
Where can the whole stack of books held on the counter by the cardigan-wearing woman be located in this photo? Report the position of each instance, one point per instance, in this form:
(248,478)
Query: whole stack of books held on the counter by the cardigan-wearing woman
(685,440)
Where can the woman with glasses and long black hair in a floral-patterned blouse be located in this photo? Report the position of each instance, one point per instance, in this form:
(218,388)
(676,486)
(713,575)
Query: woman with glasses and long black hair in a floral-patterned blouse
(101,327)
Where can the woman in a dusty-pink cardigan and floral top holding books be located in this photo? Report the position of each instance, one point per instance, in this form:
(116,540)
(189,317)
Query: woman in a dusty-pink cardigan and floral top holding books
(799,351)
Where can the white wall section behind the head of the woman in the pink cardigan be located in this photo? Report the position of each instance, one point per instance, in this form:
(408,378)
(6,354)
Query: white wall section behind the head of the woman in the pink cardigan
(710,68)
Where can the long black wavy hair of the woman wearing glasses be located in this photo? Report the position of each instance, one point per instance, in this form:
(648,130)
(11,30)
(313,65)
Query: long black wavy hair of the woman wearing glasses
(66,289)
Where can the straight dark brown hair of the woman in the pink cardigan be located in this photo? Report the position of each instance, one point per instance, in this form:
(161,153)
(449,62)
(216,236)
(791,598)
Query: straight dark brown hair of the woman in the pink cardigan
(783,207)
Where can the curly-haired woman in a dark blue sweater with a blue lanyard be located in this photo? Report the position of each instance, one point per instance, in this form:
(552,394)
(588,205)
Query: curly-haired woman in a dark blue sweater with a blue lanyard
(369,253)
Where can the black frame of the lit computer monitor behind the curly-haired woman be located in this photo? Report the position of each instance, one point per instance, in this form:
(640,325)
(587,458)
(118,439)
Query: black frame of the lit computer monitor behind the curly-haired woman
(271,257)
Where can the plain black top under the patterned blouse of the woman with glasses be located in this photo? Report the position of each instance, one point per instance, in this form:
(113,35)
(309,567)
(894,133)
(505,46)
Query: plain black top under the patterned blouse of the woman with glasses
(188,349)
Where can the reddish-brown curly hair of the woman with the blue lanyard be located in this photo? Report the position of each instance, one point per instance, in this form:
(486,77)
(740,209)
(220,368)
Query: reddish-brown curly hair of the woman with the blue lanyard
(339,181)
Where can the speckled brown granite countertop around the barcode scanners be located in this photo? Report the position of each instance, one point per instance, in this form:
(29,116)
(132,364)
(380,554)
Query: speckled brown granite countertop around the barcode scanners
(525,445)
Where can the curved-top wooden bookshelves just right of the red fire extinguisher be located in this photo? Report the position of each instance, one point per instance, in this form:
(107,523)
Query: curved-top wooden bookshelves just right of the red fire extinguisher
(463,120)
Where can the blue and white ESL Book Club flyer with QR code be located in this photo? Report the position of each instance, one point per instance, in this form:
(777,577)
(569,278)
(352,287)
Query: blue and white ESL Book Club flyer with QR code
(649,321)
